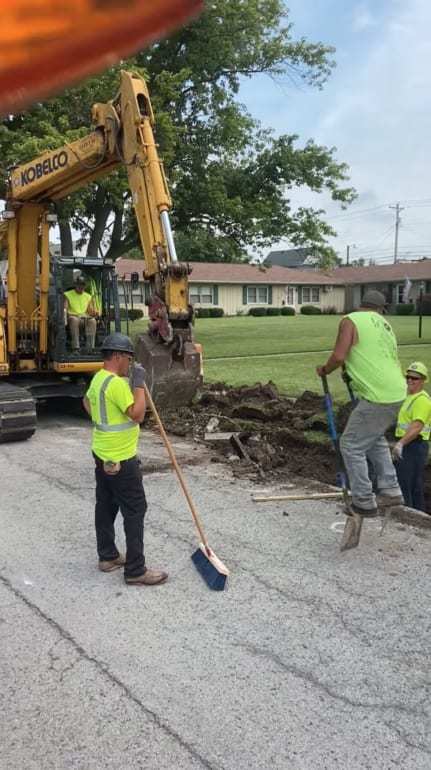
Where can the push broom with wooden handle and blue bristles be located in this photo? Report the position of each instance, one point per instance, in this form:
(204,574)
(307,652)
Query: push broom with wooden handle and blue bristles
(212,569)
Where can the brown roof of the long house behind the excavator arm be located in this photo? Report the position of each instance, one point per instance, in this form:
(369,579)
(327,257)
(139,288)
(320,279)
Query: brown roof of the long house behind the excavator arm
(228,272)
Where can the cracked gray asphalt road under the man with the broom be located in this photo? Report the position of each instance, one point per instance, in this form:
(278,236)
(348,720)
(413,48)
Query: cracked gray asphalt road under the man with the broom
(310,659)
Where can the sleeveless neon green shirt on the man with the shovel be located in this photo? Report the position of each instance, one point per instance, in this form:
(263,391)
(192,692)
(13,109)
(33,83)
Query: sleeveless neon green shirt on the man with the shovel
(372,364)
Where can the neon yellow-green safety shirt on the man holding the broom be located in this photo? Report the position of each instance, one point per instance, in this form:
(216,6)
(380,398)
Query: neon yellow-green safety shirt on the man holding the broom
(115,435)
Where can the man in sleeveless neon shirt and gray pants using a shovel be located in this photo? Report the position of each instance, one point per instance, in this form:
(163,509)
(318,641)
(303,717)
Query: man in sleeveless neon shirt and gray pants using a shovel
(366,346)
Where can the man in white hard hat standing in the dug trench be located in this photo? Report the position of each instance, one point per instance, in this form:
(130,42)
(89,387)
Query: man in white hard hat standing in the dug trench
(410,453)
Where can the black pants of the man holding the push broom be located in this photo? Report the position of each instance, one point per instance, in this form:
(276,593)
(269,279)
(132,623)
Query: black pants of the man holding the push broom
(123,491)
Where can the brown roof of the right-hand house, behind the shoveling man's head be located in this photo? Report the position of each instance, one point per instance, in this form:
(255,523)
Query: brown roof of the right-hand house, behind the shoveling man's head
(383,273)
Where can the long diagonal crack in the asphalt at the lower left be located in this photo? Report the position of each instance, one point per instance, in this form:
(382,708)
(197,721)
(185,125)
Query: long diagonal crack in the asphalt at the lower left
(104,670)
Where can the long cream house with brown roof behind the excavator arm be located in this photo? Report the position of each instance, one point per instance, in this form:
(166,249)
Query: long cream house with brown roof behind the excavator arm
(236,287)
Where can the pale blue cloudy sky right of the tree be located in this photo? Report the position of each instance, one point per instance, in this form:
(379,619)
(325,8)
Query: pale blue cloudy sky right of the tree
(375,109)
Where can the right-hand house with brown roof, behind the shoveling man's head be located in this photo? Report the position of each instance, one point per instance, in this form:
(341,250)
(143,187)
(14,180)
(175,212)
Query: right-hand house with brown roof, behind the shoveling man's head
(400,282)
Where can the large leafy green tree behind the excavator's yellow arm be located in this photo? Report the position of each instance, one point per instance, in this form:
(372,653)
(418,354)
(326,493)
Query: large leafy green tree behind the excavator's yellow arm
(229,177)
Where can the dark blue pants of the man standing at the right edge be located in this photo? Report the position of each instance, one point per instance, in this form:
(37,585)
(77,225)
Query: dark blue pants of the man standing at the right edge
(410,471)
